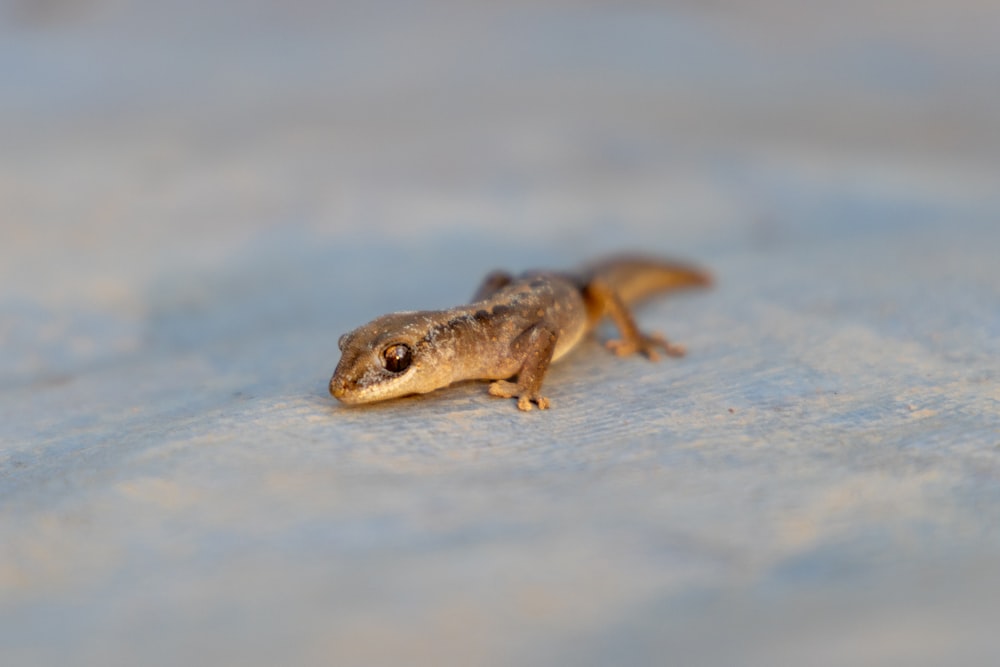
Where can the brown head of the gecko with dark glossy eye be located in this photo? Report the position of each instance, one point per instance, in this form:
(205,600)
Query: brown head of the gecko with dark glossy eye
(391,356)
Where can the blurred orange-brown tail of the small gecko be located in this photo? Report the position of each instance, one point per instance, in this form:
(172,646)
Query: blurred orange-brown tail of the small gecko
(635,278)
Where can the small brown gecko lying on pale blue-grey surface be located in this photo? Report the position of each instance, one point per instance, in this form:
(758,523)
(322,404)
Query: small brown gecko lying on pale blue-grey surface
(515,326)
